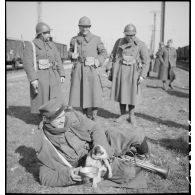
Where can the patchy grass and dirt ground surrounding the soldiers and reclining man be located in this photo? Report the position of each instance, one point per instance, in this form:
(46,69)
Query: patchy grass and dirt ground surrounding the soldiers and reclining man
(163,115)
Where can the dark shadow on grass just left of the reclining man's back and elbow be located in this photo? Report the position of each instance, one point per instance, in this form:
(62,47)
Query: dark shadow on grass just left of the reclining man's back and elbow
(29,160)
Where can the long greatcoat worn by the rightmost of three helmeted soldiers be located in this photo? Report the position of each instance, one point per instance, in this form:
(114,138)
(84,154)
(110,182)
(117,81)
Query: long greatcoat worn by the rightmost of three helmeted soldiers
(125,88)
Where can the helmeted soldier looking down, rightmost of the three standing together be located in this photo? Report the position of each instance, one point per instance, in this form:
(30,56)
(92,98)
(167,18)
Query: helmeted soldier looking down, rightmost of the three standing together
(130,62)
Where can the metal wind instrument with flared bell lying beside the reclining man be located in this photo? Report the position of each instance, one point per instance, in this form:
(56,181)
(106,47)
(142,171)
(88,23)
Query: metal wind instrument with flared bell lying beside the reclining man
(163,172)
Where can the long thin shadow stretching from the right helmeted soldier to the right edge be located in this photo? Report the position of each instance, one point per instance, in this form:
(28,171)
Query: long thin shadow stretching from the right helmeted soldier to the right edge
(164,122)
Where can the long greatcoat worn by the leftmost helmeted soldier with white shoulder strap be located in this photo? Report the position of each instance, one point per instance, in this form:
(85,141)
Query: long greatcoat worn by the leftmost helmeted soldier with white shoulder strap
(49,79)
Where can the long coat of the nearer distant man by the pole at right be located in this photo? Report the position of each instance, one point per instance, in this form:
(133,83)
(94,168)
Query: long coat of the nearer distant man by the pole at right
(167,57)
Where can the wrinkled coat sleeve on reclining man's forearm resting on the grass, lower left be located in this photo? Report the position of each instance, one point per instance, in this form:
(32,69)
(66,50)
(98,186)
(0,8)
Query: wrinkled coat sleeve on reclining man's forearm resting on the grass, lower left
(54,178)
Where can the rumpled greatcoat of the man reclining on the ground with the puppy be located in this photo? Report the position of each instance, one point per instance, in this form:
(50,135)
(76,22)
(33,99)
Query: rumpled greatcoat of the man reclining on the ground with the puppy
(73,143)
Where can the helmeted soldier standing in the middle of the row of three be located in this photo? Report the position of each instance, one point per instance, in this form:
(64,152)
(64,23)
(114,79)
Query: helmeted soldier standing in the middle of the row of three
(87,52)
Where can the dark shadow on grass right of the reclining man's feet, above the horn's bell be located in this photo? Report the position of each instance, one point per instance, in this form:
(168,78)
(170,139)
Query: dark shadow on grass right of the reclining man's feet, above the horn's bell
(178,144)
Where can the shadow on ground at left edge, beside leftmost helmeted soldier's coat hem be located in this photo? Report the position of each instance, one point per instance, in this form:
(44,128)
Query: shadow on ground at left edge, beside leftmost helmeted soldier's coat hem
(23,113)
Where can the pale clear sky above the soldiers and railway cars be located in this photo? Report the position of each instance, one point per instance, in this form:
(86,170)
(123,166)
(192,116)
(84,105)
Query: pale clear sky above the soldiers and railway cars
(108,20)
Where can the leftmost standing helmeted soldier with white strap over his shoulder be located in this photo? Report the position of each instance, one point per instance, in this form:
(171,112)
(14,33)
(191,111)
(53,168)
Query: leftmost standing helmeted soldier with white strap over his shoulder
(43,67)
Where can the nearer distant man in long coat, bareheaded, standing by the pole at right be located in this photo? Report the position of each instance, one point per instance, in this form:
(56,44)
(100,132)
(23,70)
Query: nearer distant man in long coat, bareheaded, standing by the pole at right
(167,57)
